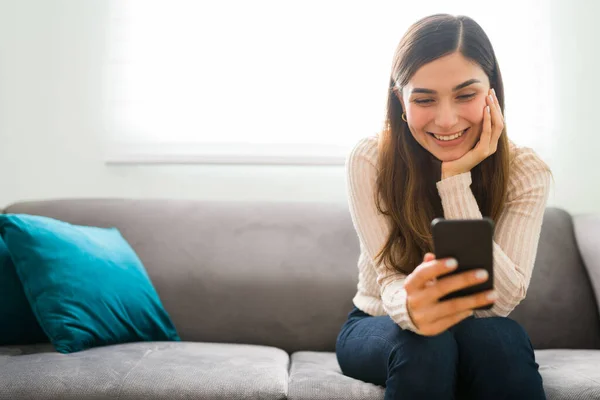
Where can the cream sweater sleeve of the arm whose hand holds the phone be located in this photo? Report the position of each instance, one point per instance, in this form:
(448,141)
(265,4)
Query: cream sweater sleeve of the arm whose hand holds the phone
(373,229)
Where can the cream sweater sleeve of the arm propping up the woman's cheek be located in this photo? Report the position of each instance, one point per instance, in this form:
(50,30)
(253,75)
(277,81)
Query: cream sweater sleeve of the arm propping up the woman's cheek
(517,230)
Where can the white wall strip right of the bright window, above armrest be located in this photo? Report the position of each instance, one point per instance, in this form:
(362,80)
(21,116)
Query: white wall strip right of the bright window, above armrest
(575,161)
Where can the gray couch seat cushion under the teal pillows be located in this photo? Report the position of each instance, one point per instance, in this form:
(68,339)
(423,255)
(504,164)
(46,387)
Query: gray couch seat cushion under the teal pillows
(148,370)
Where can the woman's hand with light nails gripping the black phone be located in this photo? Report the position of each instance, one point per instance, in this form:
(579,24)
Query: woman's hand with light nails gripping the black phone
(423,291)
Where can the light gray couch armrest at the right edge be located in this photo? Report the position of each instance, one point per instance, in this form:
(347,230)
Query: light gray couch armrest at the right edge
(587,234)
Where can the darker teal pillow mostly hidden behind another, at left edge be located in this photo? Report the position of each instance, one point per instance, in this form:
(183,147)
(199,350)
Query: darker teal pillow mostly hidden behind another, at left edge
(17,323)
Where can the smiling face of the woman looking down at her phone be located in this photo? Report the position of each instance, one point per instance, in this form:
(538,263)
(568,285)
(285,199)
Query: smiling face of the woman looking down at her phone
(446,98)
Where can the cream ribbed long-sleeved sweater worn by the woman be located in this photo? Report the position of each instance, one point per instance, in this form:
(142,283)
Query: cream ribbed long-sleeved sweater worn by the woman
(516,236)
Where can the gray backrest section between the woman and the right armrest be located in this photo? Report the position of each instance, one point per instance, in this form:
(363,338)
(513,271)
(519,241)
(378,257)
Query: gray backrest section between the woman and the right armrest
(559,310)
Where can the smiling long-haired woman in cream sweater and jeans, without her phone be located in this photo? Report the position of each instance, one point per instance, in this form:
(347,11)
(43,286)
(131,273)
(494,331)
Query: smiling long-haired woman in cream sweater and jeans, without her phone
(443,152)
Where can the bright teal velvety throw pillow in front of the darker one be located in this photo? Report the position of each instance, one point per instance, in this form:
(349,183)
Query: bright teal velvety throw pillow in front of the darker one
(86,285)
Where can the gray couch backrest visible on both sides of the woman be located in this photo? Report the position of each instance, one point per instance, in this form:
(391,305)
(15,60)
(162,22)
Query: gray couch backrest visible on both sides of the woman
(283,274)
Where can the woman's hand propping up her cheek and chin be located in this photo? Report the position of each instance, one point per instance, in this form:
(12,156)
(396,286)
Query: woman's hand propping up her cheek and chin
(493,124)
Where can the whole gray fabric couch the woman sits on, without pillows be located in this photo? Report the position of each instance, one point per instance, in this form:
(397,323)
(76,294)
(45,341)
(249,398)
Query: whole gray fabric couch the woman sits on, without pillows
(258,292)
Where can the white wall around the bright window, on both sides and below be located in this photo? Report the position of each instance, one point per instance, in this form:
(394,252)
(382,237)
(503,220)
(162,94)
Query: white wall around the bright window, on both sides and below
(52,139)
